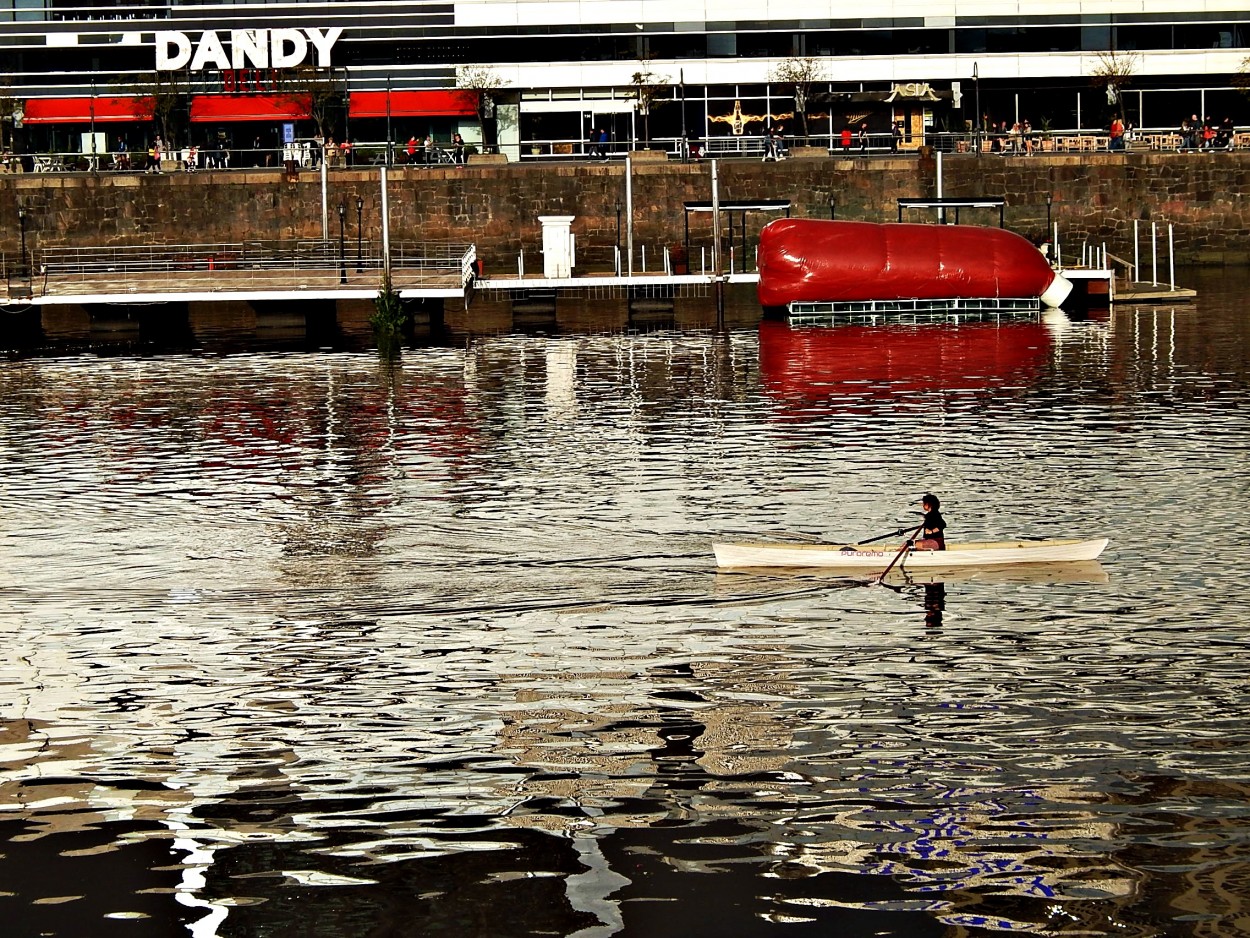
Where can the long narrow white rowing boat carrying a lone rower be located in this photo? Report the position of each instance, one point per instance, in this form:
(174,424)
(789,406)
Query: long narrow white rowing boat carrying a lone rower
(853,557)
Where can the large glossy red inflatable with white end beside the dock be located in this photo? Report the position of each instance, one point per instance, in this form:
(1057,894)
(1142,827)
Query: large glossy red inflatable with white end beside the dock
(814,261)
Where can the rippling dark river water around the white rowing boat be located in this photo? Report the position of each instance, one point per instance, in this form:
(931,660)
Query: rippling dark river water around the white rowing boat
(306,643)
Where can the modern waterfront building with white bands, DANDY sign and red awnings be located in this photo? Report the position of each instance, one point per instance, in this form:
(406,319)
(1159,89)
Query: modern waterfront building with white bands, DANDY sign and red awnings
(541,77)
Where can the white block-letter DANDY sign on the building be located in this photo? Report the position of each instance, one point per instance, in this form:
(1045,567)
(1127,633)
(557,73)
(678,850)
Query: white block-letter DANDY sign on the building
(244,49)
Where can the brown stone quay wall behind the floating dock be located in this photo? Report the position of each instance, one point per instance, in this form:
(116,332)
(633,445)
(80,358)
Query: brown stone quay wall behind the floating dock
(1097,197)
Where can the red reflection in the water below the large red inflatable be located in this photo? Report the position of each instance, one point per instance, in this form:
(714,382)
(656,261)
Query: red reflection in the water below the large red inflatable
(827,365)
